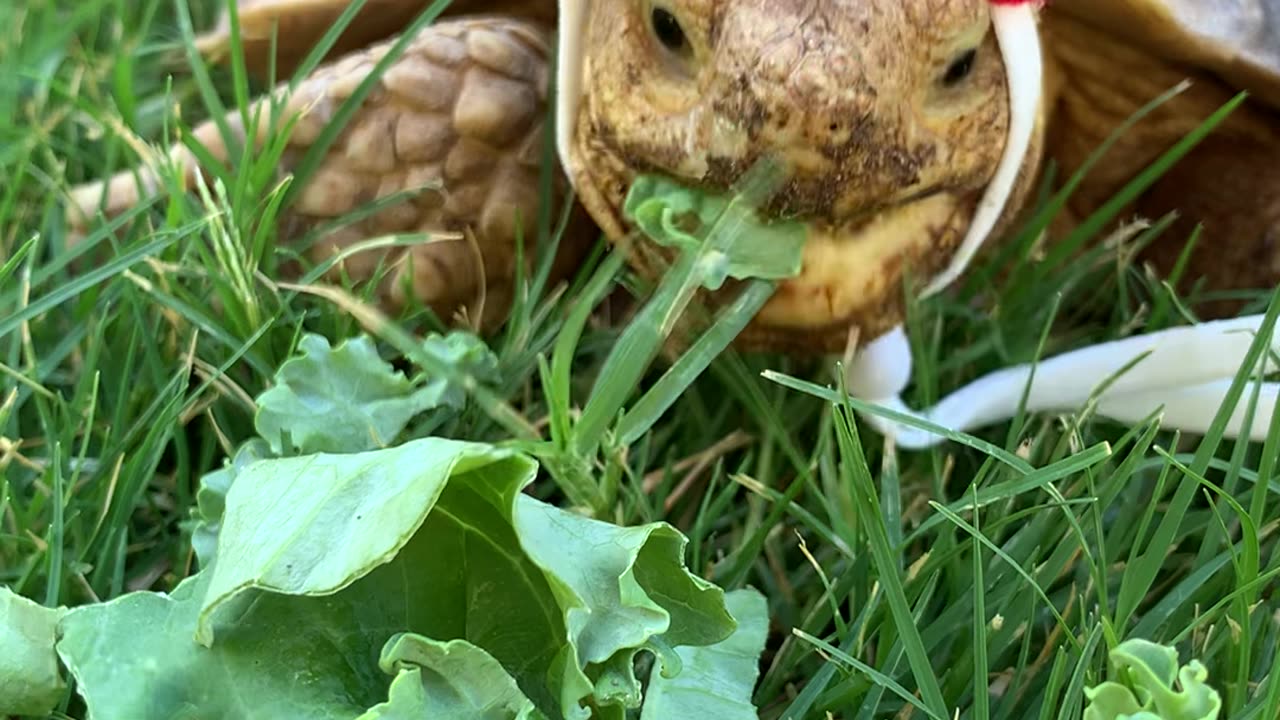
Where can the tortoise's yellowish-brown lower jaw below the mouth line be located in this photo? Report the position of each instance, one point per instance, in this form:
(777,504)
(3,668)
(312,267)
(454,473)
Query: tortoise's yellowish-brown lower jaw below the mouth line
(858,267)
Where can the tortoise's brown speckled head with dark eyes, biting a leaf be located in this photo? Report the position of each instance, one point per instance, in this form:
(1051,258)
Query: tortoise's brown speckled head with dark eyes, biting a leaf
(890,120)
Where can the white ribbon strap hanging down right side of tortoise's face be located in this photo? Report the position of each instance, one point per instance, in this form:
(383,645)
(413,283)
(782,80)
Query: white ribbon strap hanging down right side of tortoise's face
(1021,47)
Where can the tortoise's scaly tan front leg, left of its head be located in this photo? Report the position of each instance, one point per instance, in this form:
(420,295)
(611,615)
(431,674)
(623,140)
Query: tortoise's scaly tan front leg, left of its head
(463,111)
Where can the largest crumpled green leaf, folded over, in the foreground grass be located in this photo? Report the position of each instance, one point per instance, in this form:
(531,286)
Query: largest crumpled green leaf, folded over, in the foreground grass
(381,584)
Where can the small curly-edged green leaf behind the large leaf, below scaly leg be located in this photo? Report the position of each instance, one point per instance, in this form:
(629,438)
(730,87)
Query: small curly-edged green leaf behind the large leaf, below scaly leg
(348,399)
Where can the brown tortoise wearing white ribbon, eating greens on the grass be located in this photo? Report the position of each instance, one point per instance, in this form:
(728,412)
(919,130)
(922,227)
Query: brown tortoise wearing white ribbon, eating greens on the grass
(911,130)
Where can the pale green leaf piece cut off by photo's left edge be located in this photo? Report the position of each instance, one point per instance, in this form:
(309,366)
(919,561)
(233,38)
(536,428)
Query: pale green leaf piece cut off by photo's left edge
(30,682)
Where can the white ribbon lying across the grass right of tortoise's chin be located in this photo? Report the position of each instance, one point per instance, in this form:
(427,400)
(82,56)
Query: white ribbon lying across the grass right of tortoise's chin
(1187,372)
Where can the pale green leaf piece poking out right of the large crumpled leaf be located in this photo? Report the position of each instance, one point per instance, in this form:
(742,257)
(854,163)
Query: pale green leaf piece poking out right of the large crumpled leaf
(717,680)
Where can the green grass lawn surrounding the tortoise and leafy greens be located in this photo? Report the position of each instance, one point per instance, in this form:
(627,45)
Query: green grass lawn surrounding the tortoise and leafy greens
(982,580)
